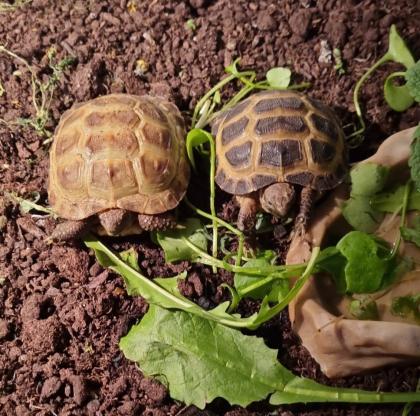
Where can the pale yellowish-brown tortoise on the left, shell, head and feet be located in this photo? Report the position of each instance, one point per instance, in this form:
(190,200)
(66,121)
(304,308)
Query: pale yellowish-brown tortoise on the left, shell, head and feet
(118,166)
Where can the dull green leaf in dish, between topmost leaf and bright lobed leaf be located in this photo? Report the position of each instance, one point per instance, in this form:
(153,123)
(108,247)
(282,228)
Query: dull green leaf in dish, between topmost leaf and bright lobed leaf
(361,215)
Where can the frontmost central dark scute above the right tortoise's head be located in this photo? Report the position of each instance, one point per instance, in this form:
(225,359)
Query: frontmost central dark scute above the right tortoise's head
(280,153)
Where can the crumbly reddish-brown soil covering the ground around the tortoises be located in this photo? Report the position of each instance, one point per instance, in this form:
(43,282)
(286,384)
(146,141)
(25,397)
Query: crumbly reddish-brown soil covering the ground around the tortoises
(61,314)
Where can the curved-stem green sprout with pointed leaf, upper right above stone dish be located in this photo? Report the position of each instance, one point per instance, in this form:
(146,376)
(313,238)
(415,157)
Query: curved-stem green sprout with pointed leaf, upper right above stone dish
(399,98)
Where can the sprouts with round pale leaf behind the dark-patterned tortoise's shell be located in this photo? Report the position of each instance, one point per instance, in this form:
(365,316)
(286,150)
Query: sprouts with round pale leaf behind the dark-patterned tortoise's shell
(276,78)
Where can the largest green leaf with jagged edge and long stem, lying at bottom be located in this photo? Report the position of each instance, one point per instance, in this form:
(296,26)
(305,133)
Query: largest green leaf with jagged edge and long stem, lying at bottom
(202,360)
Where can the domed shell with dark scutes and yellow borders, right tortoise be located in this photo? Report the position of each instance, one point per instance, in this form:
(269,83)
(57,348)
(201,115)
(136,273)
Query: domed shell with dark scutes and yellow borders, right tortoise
(279,136)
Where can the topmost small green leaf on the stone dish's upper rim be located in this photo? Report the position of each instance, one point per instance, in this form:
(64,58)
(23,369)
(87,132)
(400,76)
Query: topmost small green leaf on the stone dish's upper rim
(368,178)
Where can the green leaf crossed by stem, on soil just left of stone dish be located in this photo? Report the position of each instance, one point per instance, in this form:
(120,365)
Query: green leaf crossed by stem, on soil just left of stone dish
(256,287)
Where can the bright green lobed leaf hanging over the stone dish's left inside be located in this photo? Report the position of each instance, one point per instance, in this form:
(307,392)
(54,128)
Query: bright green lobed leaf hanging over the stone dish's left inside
(364,269)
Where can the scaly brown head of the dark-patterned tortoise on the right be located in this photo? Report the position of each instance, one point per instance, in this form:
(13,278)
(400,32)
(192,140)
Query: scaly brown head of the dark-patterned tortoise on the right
(277,199)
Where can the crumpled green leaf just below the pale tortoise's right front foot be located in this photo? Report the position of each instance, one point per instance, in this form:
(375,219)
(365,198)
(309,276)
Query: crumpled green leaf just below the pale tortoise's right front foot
(173,246)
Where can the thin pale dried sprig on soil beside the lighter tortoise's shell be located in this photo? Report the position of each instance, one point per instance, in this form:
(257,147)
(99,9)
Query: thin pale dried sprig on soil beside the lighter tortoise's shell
(42,92)
